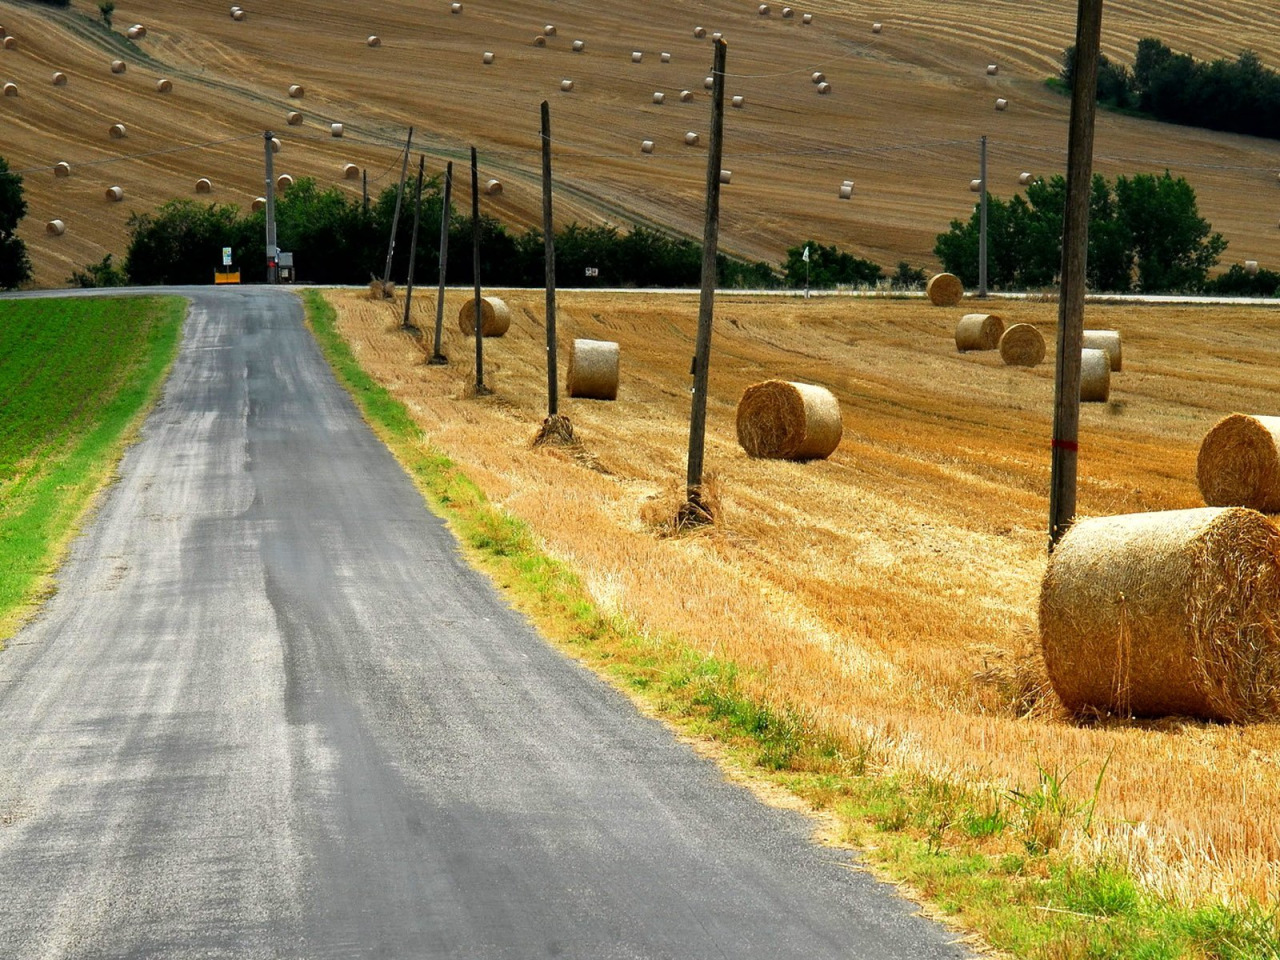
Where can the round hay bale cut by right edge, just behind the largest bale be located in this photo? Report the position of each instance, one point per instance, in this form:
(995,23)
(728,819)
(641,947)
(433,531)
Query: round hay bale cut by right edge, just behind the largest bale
(1240,464)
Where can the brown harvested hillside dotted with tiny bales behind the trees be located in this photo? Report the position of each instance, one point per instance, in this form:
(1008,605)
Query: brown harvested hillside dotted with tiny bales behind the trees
(903,121)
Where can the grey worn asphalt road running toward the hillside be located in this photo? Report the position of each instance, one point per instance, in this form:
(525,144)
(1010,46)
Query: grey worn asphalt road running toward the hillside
(271,714)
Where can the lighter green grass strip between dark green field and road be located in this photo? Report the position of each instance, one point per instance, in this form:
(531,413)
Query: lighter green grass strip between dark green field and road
(42,514)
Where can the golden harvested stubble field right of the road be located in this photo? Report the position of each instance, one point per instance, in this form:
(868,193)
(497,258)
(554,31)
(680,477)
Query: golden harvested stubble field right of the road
(892,591)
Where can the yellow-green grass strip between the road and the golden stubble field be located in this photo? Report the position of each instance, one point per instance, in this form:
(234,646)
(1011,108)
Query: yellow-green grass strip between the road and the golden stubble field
(989,860)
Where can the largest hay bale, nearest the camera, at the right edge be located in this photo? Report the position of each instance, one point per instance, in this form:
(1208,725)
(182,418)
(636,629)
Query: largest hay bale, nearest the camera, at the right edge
(1167,614)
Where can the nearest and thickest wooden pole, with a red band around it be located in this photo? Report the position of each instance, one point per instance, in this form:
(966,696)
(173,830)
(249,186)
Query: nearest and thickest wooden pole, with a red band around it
(1076,245)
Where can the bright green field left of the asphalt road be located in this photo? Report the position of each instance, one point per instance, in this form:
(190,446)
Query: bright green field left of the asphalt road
(77,377)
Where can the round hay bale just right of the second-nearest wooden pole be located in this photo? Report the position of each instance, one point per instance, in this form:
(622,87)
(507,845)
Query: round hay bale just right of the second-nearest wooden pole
(783,420)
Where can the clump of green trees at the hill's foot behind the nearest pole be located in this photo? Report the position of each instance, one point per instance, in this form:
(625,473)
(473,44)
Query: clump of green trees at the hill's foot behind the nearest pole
(1145,232)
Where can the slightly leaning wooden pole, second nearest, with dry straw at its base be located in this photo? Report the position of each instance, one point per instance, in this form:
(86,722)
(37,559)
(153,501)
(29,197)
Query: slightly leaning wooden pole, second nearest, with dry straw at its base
(696,502)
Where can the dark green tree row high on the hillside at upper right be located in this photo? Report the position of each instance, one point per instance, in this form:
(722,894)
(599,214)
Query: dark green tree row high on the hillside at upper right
(1241,97)
